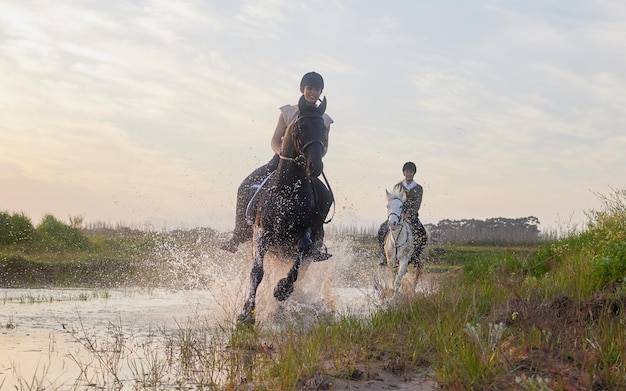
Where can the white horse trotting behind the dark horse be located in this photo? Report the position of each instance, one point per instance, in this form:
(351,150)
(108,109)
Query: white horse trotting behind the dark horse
(399,240)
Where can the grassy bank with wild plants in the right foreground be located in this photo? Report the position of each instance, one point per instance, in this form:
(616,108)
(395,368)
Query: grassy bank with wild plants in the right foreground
(547,319)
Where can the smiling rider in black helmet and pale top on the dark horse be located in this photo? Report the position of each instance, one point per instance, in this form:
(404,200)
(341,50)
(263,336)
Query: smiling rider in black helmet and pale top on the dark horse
(311,87)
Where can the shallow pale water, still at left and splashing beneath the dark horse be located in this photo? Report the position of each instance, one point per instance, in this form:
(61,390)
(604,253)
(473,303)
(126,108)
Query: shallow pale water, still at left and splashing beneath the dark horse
(44,332)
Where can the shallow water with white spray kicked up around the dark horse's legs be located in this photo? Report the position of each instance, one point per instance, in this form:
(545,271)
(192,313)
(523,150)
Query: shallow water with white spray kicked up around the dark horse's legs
(198,281)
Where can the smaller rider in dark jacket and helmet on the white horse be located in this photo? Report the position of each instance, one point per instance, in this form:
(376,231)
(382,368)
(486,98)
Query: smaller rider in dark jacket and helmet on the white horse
(410,211)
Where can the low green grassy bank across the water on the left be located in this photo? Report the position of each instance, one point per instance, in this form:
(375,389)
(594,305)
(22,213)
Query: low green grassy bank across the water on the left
(112,258)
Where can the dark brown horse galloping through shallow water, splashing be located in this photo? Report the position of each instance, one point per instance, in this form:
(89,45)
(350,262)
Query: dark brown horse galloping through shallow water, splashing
(293,203)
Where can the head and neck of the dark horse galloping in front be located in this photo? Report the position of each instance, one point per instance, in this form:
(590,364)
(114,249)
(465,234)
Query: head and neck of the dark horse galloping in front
(306,140)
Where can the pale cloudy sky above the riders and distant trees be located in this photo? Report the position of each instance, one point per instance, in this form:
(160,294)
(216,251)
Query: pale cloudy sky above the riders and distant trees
(150,113)
